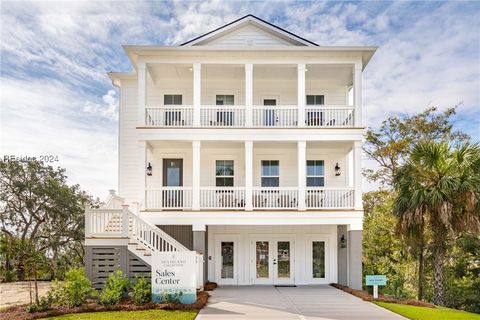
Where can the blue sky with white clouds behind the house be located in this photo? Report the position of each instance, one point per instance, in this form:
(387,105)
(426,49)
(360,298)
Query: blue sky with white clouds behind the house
(56,98)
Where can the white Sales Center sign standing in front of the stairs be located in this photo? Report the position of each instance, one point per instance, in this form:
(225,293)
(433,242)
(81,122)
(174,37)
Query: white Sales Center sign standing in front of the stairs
(174,276)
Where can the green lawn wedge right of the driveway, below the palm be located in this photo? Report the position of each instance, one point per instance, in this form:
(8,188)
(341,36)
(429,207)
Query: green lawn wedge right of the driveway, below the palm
(423,313)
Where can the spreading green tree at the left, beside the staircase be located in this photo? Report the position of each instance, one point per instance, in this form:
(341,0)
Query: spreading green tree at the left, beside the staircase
(37,205)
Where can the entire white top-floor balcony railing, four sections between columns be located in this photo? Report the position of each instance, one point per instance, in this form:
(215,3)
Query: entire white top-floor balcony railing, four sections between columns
(262,116)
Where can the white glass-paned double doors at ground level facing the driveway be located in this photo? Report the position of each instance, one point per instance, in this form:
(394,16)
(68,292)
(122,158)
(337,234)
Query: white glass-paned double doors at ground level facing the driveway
(273,261)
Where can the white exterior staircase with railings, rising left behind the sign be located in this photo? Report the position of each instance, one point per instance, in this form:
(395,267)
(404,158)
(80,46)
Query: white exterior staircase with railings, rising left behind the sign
(114,221)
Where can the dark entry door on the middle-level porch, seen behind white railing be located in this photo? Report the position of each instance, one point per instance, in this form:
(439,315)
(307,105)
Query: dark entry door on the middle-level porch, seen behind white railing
(172,195)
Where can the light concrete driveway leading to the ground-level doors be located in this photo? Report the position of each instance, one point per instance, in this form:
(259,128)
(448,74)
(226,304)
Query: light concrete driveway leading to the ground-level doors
(304,302)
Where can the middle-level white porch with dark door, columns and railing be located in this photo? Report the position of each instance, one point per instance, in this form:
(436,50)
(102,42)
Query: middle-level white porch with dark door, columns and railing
(246,175)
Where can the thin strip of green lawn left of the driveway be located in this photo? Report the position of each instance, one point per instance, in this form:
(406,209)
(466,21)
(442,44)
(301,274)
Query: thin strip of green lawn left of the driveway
(132,315)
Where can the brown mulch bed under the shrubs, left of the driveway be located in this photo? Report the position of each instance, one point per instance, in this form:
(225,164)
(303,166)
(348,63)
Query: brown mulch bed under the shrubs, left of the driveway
(18,312)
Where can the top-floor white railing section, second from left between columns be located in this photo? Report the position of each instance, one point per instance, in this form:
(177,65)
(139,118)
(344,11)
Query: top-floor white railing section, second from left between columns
(222,116)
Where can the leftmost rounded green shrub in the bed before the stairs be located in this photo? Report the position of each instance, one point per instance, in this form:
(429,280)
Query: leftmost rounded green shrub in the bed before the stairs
(74,290)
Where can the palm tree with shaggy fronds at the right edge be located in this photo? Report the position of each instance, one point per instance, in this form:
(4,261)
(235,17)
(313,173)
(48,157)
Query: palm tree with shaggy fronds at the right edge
(439,188)
